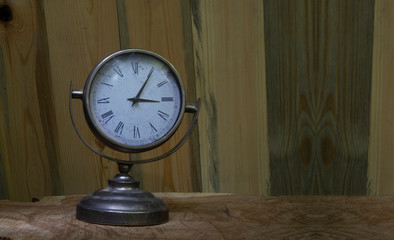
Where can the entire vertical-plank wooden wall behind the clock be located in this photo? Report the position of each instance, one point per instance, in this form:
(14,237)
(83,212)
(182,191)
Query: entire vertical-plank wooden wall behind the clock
(297,95)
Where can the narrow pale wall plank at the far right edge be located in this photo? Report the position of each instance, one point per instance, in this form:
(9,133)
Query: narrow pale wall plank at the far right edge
(381,148)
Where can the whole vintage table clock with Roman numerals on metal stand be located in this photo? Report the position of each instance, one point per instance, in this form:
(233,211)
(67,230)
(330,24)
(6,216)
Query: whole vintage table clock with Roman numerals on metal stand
(133,101)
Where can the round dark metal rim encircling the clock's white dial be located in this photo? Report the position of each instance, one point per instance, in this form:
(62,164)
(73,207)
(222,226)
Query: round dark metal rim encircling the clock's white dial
(105,137)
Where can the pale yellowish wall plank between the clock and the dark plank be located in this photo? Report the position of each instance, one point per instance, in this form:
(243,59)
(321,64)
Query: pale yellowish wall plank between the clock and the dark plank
(228,39)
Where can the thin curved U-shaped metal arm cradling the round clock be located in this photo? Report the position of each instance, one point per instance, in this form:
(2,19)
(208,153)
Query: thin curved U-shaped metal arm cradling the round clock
(189,108)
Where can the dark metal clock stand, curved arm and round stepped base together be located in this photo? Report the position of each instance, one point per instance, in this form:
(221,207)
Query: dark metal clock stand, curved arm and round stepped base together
(123,202)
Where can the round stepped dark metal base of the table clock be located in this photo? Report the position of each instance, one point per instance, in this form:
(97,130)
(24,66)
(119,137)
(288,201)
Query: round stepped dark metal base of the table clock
(122,203)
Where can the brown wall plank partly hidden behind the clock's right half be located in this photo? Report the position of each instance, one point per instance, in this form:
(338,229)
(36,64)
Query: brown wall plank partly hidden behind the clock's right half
(164,27)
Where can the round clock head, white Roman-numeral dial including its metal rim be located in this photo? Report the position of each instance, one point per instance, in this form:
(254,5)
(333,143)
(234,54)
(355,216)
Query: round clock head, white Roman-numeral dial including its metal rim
(134,100)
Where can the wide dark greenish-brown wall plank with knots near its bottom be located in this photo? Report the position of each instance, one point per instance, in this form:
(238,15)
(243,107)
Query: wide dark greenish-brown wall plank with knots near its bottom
(319,63)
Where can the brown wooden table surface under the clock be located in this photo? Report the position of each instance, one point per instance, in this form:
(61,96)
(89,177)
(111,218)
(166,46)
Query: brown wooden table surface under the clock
(212,216)
